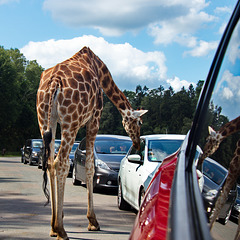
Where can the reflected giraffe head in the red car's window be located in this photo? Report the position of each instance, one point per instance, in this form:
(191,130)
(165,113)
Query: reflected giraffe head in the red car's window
(212,143)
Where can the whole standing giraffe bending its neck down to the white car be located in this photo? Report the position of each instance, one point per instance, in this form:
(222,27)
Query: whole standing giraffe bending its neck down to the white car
(71,94)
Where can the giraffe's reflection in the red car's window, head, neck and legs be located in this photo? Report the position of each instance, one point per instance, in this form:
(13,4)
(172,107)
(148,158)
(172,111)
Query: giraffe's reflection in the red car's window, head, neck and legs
(213,142)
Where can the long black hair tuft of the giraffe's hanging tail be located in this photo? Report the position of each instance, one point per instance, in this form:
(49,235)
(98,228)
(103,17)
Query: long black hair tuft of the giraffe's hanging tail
(47,138)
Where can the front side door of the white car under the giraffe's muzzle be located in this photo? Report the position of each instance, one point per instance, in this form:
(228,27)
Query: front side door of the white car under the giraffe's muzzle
(134,176)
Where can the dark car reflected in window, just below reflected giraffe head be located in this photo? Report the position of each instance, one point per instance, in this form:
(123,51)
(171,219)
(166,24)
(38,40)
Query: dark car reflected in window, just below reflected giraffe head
(214,178)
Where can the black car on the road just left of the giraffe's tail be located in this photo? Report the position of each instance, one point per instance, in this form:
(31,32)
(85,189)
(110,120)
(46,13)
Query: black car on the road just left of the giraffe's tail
(31,150)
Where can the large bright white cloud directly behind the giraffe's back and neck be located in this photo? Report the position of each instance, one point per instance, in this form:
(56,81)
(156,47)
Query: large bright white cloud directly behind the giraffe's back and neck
(128,65)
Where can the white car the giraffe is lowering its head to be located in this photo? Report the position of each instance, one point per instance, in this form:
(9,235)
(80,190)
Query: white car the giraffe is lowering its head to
(138,167)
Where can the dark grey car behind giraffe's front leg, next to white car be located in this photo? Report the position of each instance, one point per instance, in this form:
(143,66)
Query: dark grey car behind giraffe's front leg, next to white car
(109,150)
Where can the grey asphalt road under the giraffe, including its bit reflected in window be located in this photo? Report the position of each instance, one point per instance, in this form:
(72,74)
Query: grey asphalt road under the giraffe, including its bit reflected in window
(23,215)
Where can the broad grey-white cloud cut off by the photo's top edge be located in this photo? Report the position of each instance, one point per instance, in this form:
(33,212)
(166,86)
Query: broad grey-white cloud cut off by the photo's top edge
(113,17)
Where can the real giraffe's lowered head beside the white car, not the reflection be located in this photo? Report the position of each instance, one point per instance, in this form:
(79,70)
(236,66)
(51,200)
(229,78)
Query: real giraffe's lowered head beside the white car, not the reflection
(132,124)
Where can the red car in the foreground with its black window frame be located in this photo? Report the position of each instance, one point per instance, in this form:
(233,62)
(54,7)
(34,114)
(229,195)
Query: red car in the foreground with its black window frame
(173,207)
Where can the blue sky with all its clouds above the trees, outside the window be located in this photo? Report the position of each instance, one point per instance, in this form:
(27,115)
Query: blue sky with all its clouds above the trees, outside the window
(146,42)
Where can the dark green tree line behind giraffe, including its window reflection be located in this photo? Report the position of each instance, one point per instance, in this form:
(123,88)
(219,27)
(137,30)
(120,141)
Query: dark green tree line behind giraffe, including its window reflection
(169,112)
